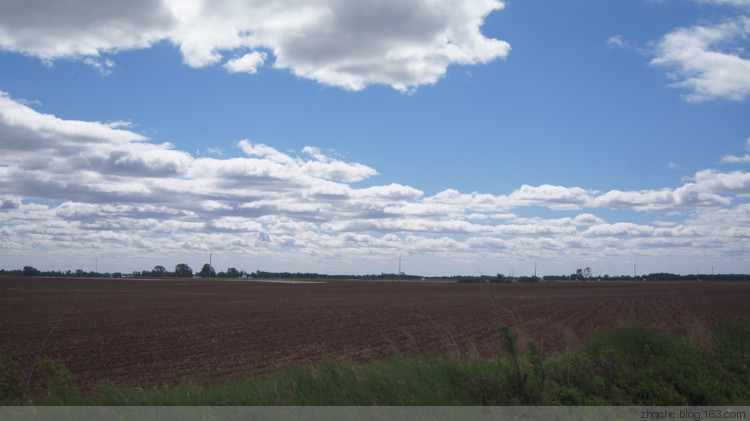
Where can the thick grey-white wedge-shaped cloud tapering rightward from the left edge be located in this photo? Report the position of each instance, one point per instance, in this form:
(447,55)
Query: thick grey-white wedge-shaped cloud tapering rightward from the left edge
(96,162)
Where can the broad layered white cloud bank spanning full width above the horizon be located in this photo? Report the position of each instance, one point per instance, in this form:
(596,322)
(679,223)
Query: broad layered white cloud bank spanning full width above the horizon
(77,188)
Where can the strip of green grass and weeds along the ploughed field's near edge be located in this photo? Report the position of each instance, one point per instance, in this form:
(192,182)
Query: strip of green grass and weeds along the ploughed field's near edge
(631,365)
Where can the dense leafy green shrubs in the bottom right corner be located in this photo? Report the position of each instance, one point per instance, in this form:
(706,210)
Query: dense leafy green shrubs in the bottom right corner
(640,366)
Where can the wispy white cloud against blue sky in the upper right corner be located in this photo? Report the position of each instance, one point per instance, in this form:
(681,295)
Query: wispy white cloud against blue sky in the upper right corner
(708,59)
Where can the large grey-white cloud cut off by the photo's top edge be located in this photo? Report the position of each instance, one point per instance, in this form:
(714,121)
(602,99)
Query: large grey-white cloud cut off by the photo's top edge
(344,43)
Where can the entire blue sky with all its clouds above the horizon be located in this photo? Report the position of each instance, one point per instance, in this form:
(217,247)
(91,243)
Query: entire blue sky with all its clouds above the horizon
(339,136)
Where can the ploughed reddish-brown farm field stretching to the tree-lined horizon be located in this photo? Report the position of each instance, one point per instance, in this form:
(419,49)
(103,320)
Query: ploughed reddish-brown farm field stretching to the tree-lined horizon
(150,333)
